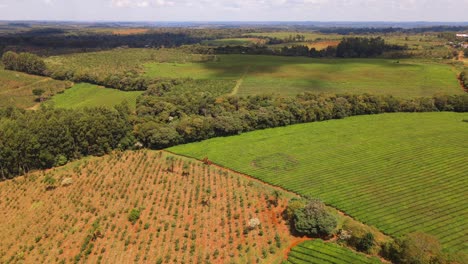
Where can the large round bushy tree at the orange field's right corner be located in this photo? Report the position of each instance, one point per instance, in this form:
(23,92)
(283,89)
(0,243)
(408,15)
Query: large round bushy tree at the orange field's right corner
(314,220)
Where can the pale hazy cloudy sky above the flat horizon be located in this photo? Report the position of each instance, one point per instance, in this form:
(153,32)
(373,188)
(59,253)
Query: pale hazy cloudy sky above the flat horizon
(235,10)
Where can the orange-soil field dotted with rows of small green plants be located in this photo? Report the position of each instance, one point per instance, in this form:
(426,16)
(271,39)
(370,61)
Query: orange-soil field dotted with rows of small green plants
(190,213)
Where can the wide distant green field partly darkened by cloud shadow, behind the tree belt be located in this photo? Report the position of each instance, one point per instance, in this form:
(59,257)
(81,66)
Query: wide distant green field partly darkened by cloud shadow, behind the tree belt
(292,75)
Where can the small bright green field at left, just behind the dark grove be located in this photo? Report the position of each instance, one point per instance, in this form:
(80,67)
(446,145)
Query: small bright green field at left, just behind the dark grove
(88,95)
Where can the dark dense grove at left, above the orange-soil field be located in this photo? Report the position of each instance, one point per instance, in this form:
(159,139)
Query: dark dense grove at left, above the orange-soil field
(51,137)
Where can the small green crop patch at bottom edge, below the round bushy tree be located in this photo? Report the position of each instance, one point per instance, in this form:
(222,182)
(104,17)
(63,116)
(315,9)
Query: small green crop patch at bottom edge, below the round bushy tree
(317,252)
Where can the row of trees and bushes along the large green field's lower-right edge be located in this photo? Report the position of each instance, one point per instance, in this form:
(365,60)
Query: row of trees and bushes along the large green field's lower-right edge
(312,218)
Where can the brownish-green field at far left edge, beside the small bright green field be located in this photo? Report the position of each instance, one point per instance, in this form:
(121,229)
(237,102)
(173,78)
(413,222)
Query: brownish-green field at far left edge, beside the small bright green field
(16,88)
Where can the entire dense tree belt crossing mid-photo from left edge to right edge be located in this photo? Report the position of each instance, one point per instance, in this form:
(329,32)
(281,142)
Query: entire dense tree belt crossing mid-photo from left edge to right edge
(51,137)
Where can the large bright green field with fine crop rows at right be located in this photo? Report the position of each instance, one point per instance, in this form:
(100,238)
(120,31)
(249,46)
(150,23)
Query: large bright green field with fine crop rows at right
(398,172)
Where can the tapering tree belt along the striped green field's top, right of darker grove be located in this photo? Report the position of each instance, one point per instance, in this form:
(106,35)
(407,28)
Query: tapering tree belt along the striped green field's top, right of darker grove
(174,119)
